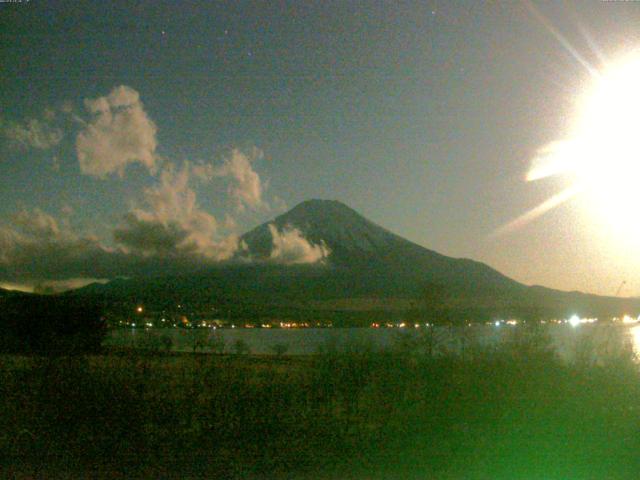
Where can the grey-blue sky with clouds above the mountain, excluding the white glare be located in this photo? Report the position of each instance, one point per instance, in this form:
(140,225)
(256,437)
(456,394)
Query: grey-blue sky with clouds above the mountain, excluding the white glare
(160,131)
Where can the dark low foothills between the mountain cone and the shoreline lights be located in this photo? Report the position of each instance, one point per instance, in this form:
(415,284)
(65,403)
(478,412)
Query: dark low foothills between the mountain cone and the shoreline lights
(262,295)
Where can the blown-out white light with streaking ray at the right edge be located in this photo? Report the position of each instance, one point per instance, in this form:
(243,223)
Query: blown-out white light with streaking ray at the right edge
(601,155)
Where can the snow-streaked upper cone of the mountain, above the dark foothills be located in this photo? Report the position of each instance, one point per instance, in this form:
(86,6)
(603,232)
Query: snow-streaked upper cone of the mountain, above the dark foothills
(358,244)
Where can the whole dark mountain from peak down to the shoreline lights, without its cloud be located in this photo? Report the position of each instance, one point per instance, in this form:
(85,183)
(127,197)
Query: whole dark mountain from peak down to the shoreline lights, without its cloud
(369,269)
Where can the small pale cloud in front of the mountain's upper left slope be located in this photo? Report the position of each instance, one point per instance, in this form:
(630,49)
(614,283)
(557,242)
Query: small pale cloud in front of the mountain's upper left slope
(290,247)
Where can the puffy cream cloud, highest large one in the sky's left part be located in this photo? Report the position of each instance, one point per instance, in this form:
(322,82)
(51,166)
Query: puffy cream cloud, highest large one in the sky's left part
(119,133)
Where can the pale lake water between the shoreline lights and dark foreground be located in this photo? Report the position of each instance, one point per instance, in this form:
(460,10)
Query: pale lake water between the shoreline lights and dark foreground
(565,338)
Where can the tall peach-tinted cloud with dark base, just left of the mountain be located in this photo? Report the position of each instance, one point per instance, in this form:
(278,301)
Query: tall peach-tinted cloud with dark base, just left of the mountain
(172,223)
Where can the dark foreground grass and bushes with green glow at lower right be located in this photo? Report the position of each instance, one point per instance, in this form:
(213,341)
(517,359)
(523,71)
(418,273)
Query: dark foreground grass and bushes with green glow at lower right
(508,412)
